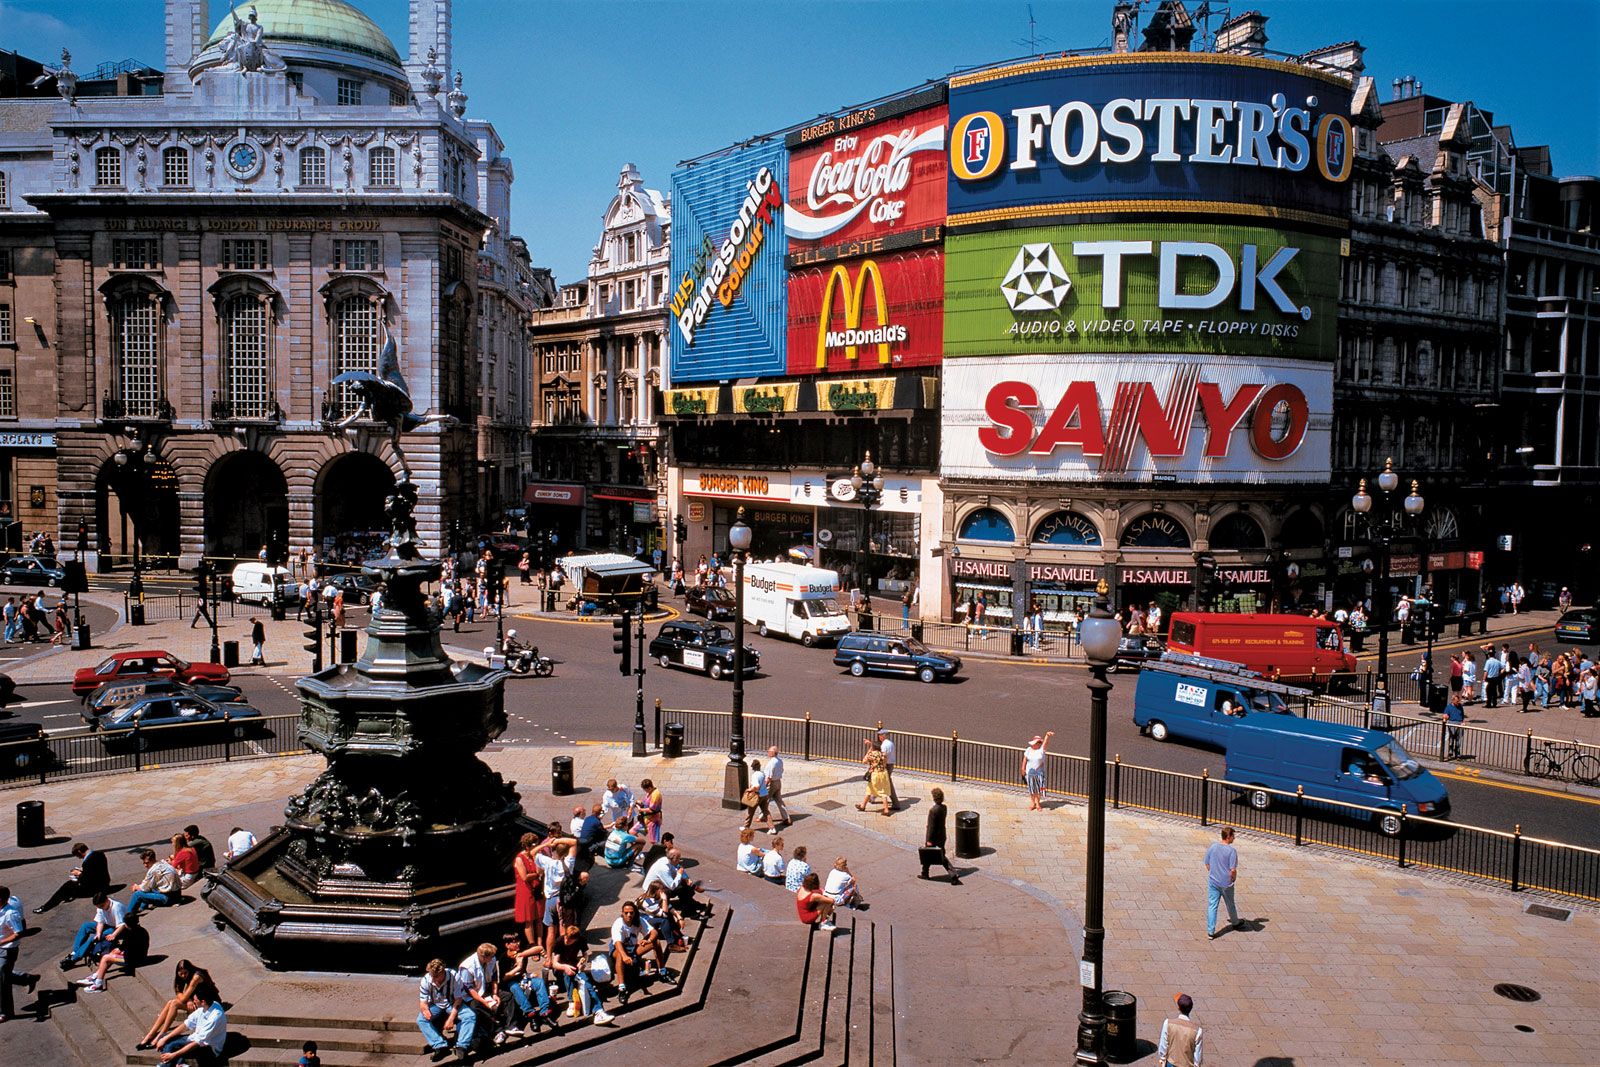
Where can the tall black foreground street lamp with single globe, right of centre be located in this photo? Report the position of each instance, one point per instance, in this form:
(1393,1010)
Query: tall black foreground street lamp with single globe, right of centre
(1100,636)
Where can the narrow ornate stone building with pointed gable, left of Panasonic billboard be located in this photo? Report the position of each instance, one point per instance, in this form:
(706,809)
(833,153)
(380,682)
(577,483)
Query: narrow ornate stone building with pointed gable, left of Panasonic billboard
(601,362)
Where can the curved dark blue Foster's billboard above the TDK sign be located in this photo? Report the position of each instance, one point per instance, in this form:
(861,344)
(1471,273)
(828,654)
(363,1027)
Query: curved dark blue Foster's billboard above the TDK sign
(1164,130)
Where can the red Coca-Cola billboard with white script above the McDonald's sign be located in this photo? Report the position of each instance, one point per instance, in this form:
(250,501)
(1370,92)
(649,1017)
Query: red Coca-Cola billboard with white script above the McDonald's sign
(866,177)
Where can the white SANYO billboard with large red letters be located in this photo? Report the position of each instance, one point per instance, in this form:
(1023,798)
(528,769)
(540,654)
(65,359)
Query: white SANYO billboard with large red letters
(1105,417)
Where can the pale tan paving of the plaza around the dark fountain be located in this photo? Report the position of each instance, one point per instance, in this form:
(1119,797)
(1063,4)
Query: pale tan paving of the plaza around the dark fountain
(1338,961)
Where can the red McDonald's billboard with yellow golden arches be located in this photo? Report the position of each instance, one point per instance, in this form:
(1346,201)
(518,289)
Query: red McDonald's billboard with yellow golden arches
(868,316)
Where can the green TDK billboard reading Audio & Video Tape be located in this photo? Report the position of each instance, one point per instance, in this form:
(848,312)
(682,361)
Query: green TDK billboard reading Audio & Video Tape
(1142,287)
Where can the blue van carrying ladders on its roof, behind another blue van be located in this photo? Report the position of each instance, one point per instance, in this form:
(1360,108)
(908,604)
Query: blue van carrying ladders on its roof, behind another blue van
(1201,700)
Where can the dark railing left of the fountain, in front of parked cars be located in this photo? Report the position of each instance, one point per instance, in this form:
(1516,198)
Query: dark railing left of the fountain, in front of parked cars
(84,753)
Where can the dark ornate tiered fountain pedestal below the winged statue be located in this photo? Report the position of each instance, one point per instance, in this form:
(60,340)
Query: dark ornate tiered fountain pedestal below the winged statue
(402,847)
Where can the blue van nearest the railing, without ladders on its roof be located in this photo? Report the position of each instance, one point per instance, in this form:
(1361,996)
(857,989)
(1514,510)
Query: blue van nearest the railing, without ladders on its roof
(1338,764)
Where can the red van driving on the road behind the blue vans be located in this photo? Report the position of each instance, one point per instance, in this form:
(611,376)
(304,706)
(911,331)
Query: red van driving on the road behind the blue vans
(1289,647)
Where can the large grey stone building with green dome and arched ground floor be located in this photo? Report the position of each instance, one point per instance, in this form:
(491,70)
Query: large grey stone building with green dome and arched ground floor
(209,258)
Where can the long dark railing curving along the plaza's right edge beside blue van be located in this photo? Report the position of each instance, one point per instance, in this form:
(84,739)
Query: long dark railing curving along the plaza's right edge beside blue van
(1506,858)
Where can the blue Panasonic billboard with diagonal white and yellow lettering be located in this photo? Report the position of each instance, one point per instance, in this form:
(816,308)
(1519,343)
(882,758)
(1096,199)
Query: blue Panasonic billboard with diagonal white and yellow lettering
(730,287)
